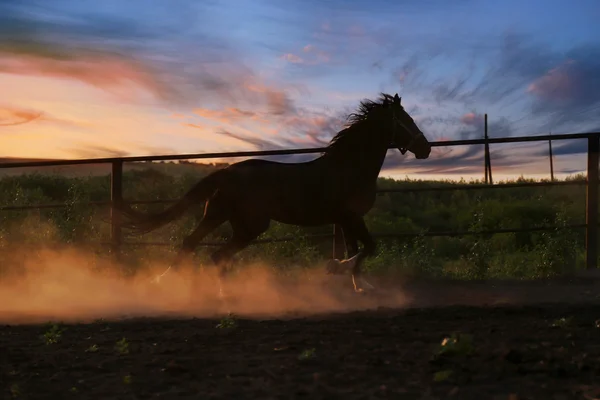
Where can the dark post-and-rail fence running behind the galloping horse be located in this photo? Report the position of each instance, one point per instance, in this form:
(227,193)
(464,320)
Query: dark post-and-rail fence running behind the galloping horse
(592,186)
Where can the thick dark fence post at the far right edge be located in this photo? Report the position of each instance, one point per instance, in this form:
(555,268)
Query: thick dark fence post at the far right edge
(591,212)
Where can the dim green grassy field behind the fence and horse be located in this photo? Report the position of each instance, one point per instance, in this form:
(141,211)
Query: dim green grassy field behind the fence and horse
(505,255)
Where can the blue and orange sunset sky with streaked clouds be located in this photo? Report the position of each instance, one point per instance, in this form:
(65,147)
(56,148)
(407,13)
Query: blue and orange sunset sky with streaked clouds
(82,78)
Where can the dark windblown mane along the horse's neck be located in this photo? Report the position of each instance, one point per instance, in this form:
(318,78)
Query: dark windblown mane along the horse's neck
(349,136)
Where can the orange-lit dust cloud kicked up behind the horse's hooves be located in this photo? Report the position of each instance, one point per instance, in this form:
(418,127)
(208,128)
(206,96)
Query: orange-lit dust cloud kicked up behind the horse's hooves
(61,285)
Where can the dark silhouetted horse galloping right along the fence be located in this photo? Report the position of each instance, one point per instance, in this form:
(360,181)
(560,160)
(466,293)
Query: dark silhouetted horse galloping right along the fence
(339,187)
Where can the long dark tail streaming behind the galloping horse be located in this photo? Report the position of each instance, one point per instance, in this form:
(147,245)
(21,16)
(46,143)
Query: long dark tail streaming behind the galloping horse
(142,223)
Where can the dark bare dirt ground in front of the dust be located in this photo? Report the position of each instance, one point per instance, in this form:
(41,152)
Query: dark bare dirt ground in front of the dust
(527,341)
